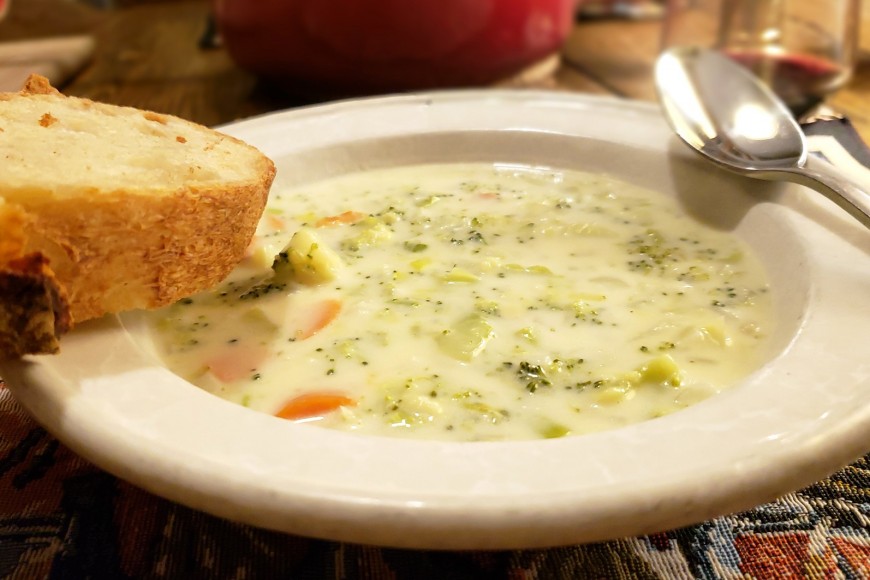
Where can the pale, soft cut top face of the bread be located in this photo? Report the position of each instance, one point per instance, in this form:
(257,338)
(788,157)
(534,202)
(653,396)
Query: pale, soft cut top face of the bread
(63,145)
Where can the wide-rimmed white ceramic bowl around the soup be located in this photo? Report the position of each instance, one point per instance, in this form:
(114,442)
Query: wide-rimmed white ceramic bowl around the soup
(802,416)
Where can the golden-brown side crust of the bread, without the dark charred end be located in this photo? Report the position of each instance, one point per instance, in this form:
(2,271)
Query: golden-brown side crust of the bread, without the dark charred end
(133,251)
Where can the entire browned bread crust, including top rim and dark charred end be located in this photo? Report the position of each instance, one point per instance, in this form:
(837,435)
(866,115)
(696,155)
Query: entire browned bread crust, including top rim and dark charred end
(69,258)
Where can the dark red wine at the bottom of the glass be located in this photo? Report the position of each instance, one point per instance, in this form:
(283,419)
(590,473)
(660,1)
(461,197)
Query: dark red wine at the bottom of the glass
(802,81)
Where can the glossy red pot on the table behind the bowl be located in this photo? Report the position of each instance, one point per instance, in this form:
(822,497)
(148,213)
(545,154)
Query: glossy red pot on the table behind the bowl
(378,45)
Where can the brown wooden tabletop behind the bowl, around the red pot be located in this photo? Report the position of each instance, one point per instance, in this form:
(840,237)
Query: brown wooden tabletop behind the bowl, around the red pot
(147,55)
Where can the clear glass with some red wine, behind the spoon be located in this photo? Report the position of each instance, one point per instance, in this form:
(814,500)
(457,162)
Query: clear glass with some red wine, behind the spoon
(803,49)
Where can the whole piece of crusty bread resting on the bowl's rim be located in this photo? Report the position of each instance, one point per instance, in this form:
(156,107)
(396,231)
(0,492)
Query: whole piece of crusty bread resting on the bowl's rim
(114,209)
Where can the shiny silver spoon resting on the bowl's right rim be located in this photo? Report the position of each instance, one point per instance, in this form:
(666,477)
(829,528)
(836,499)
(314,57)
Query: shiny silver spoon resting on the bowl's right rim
(724,112)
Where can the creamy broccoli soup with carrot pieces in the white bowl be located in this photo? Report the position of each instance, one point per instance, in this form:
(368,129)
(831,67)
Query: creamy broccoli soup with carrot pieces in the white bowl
(475,302)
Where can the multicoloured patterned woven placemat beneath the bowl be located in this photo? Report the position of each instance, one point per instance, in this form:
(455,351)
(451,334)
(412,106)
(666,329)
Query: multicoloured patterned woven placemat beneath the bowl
(62,517)
